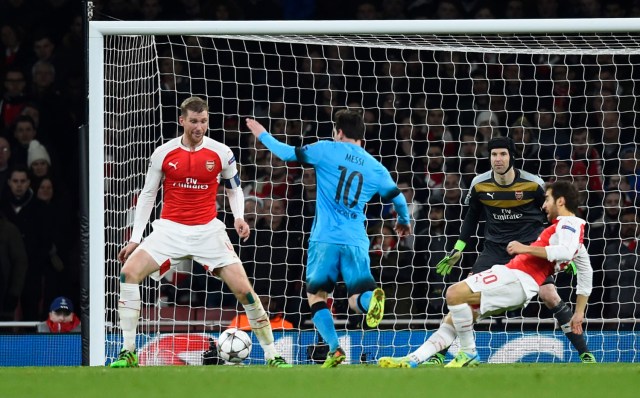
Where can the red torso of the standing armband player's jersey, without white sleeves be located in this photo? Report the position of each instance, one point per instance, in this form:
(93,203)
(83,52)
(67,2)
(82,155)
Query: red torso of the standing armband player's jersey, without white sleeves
(190,185)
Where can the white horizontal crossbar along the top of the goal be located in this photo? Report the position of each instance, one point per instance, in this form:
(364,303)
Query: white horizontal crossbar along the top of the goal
(469,27)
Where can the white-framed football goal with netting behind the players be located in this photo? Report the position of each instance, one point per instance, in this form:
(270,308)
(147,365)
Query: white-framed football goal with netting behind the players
(431,99)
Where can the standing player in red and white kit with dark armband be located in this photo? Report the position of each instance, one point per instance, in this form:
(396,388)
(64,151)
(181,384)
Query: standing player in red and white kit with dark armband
(190,168)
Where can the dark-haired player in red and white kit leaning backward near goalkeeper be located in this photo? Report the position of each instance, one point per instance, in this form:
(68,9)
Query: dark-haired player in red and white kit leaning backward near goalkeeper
(506,287)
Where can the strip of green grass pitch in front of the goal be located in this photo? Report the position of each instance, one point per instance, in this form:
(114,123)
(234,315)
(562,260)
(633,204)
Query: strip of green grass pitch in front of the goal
(349,381)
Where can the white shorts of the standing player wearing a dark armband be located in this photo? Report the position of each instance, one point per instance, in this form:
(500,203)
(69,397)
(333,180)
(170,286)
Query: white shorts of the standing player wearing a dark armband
(169,243)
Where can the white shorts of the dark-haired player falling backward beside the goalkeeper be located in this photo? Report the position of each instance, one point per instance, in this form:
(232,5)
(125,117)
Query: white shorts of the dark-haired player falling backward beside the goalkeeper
(502,289)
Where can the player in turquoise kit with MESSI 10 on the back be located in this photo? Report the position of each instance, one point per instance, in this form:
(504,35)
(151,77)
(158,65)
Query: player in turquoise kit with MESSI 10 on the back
(347,178)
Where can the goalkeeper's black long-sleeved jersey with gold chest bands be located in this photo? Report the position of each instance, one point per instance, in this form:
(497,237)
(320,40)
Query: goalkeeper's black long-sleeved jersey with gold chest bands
(511,212)
